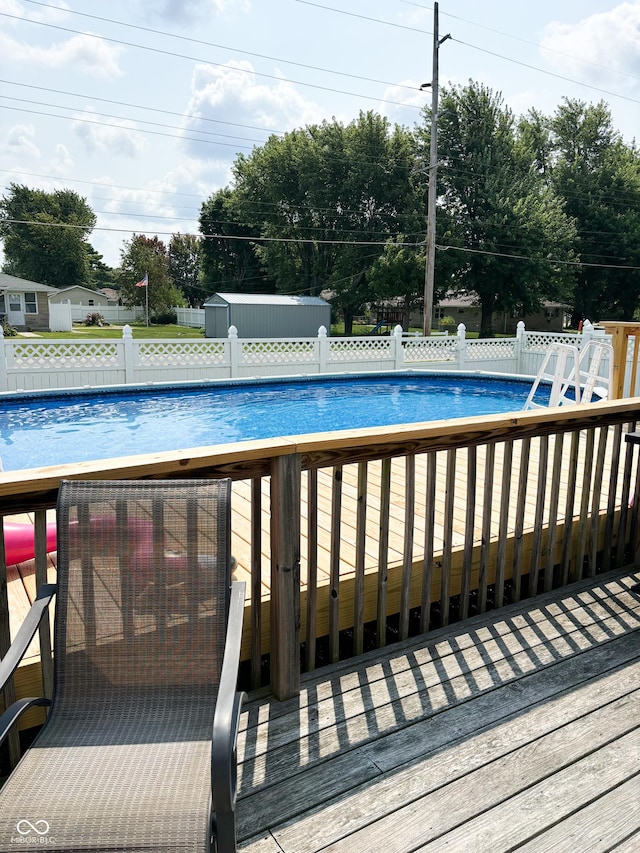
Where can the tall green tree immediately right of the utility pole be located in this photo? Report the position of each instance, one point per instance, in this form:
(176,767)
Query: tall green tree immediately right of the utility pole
(511,227)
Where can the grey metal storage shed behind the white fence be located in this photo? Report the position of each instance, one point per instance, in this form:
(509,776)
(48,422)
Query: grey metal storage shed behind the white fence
(256,315)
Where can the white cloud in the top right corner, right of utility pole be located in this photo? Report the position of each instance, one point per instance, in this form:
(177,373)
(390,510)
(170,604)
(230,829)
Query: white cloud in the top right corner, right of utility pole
(608,40)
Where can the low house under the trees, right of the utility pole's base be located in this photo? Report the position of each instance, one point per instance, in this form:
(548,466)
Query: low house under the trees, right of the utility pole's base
(453,310)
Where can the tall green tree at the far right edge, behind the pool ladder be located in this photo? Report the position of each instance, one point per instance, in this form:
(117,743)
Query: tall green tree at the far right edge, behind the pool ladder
(598,176)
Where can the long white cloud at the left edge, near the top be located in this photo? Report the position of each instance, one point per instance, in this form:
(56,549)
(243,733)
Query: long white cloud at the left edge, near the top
(82,53)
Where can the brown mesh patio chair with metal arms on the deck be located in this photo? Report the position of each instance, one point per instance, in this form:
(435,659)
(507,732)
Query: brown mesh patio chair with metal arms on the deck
(139,748)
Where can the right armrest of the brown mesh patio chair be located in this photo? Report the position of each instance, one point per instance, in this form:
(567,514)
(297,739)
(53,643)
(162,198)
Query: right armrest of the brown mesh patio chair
(226,718)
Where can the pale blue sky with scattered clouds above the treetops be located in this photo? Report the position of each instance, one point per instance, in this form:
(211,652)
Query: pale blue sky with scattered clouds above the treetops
(141,107)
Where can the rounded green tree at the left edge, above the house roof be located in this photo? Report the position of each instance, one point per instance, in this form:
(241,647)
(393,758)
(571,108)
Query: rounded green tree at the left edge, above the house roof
(45,236)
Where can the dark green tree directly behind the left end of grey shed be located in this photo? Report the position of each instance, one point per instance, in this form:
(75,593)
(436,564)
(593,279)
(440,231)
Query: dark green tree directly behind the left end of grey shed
(229,259)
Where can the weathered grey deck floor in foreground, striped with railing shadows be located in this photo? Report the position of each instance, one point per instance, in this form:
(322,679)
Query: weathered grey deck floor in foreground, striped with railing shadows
(514,730)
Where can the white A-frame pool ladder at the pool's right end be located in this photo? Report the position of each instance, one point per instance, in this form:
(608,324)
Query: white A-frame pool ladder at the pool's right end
(575,376)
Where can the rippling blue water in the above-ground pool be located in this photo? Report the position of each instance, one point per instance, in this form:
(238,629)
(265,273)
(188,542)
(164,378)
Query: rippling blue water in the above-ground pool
(50,429)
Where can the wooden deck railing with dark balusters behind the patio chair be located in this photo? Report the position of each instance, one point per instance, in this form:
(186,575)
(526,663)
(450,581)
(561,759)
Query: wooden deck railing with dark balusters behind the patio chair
(376,534)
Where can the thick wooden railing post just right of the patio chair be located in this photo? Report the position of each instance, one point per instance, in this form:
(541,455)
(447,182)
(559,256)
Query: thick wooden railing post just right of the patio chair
(286,474)
